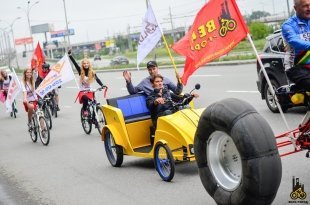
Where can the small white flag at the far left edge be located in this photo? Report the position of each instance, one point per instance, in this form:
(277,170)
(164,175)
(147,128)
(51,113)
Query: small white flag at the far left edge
(14,89)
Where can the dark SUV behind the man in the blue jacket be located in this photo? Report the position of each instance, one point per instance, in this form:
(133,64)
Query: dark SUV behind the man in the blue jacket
(272,58)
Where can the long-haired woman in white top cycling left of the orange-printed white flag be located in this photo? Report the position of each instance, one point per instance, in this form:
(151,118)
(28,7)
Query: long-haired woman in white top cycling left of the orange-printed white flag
(30,97)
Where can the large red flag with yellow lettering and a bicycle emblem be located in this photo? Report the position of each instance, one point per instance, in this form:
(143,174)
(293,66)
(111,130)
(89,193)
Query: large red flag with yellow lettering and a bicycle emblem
(218,28)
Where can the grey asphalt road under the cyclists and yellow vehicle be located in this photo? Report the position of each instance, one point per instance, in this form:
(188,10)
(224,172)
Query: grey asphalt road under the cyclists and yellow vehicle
(73,168)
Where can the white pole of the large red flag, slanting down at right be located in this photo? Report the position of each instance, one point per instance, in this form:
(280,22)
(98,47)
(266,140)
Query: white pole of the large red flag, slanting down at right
(268,80)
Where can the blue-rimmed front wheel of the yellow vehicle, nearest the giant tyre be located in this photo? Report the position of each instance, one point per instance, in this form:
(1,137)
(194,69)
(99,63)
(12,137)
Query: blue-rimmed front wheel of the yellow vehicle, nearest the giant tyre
(164,162)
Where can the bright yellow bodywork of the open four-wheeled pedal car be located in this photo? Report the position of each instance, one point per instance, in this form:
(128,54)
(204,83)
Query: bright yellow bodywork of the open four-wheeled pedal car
(176,130)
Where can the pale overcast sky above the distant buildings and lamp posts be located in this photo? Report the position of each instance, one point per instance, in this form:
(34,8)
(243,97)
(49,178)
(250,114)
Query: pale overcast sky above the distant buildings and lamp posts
(97,19)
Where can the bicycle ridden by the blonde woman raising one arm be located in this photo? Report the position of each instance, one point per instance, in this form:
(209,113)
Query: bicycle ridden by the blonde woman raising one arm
(95,114)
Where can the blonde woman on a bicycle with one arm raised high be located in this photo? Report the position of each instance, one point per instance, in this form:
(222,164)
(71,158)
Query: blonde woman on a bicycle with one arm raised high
(87,76)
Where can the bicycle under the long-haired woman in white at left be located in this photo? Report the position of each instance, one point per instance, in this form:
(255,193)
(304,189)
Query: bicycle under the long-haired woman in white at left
(39,125)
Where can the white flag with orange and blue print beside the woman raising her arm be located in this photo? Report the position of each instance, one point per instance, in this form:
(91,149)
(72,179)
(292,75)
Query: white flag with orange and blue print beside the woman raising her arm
(60,73)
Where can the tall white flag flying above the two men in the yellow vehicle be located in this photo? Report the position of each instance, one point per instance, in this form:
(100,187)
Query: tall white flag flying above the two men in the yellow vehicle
(149,36)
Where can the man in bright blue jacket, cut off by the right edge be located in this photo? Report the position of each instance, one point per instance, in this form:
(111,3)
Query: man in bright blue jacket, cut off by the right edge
(296,33)
